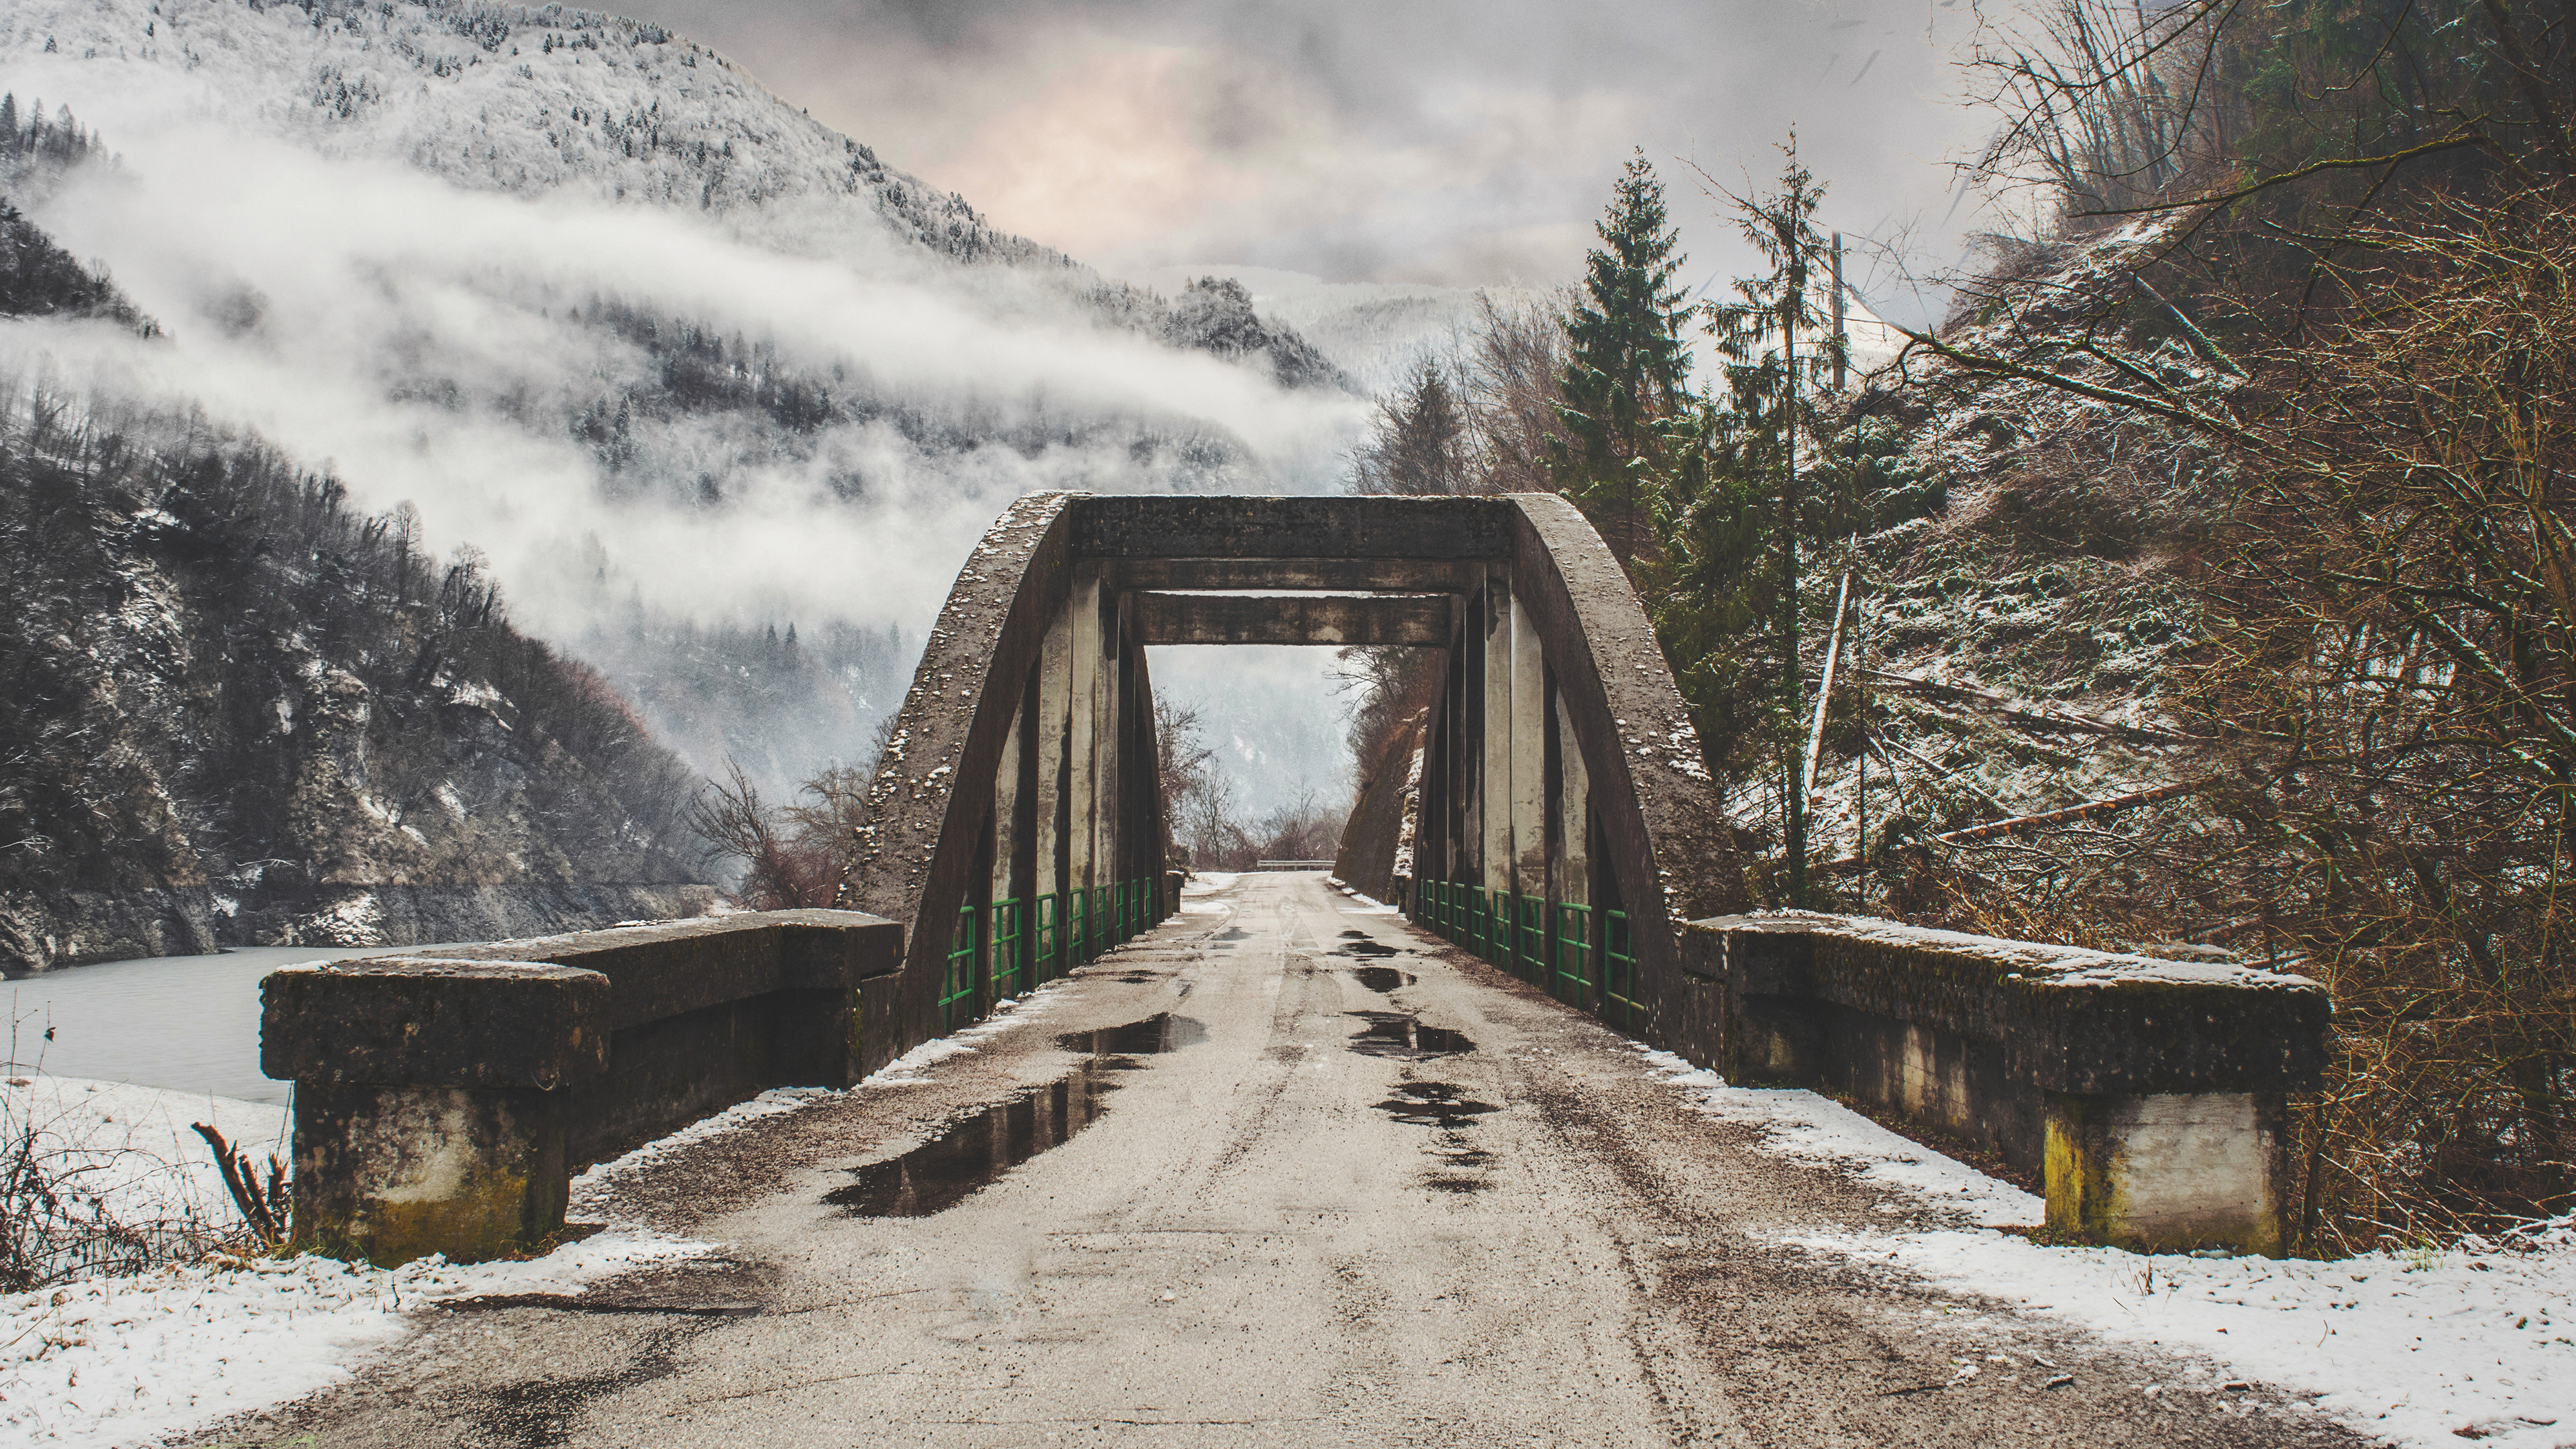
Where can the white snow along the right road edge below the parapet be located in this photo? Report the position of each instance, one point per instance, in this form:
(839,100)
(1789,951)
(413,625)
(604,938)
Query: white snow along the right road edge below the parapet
(2412,1347)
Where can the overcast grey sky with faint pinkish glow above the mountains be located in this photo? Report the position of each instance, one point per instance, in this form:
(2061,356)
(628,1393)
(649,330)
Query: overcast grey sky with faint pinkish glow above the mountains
(1369,141)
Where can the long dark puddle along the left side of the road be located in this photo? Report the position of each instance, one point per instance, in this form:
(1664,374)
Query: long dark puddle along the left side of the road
(985,1146)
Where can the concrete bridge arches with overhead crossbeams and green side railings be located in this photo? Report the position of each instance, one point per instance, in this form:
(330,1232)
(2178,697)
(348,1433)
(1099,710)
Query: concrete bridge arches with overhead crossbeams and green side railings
(1562,821)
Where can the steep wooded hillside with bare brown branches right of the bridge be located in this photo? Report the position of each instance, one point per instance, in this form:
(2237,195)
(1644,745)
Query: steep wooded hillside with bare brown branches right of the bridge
(2201,587)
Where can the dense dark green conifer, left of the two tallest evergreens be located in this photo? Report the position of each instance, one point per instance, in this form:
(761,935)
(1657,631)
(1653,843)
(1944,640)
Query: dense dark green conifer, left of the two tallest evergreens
(1627,367)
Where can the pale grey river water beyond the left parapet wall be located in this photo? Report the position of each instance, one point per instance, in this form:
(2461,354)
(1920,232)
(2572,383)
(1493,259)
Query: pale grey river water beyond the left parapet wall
(171,1022)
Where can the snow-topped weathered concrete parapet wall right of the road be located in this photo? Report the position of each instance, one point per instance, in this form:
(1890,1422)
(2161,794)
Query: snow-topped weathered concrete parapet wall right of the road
(2150,1094)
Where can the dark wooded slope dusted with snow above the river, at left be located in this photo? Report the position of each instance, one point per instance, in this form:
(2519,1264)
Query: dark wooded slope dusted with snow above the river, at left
(241,713)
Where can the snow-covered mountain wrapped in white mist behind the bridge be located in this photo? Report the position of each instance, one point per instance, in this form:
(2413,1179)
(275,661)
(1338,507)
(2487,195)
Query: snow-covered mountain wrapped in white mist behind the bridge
(679,360)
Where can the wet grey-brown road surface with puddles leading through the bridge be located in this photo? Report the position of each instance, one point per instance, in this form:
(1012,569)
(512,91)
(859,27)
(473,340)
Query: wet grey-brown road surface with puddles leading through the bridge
(1274,1174)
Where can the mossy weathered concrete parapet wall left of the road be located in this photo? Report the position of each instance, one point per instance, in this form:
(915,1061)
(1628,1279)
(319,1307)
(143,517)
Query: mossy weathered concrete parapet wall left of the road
(444,1102)
